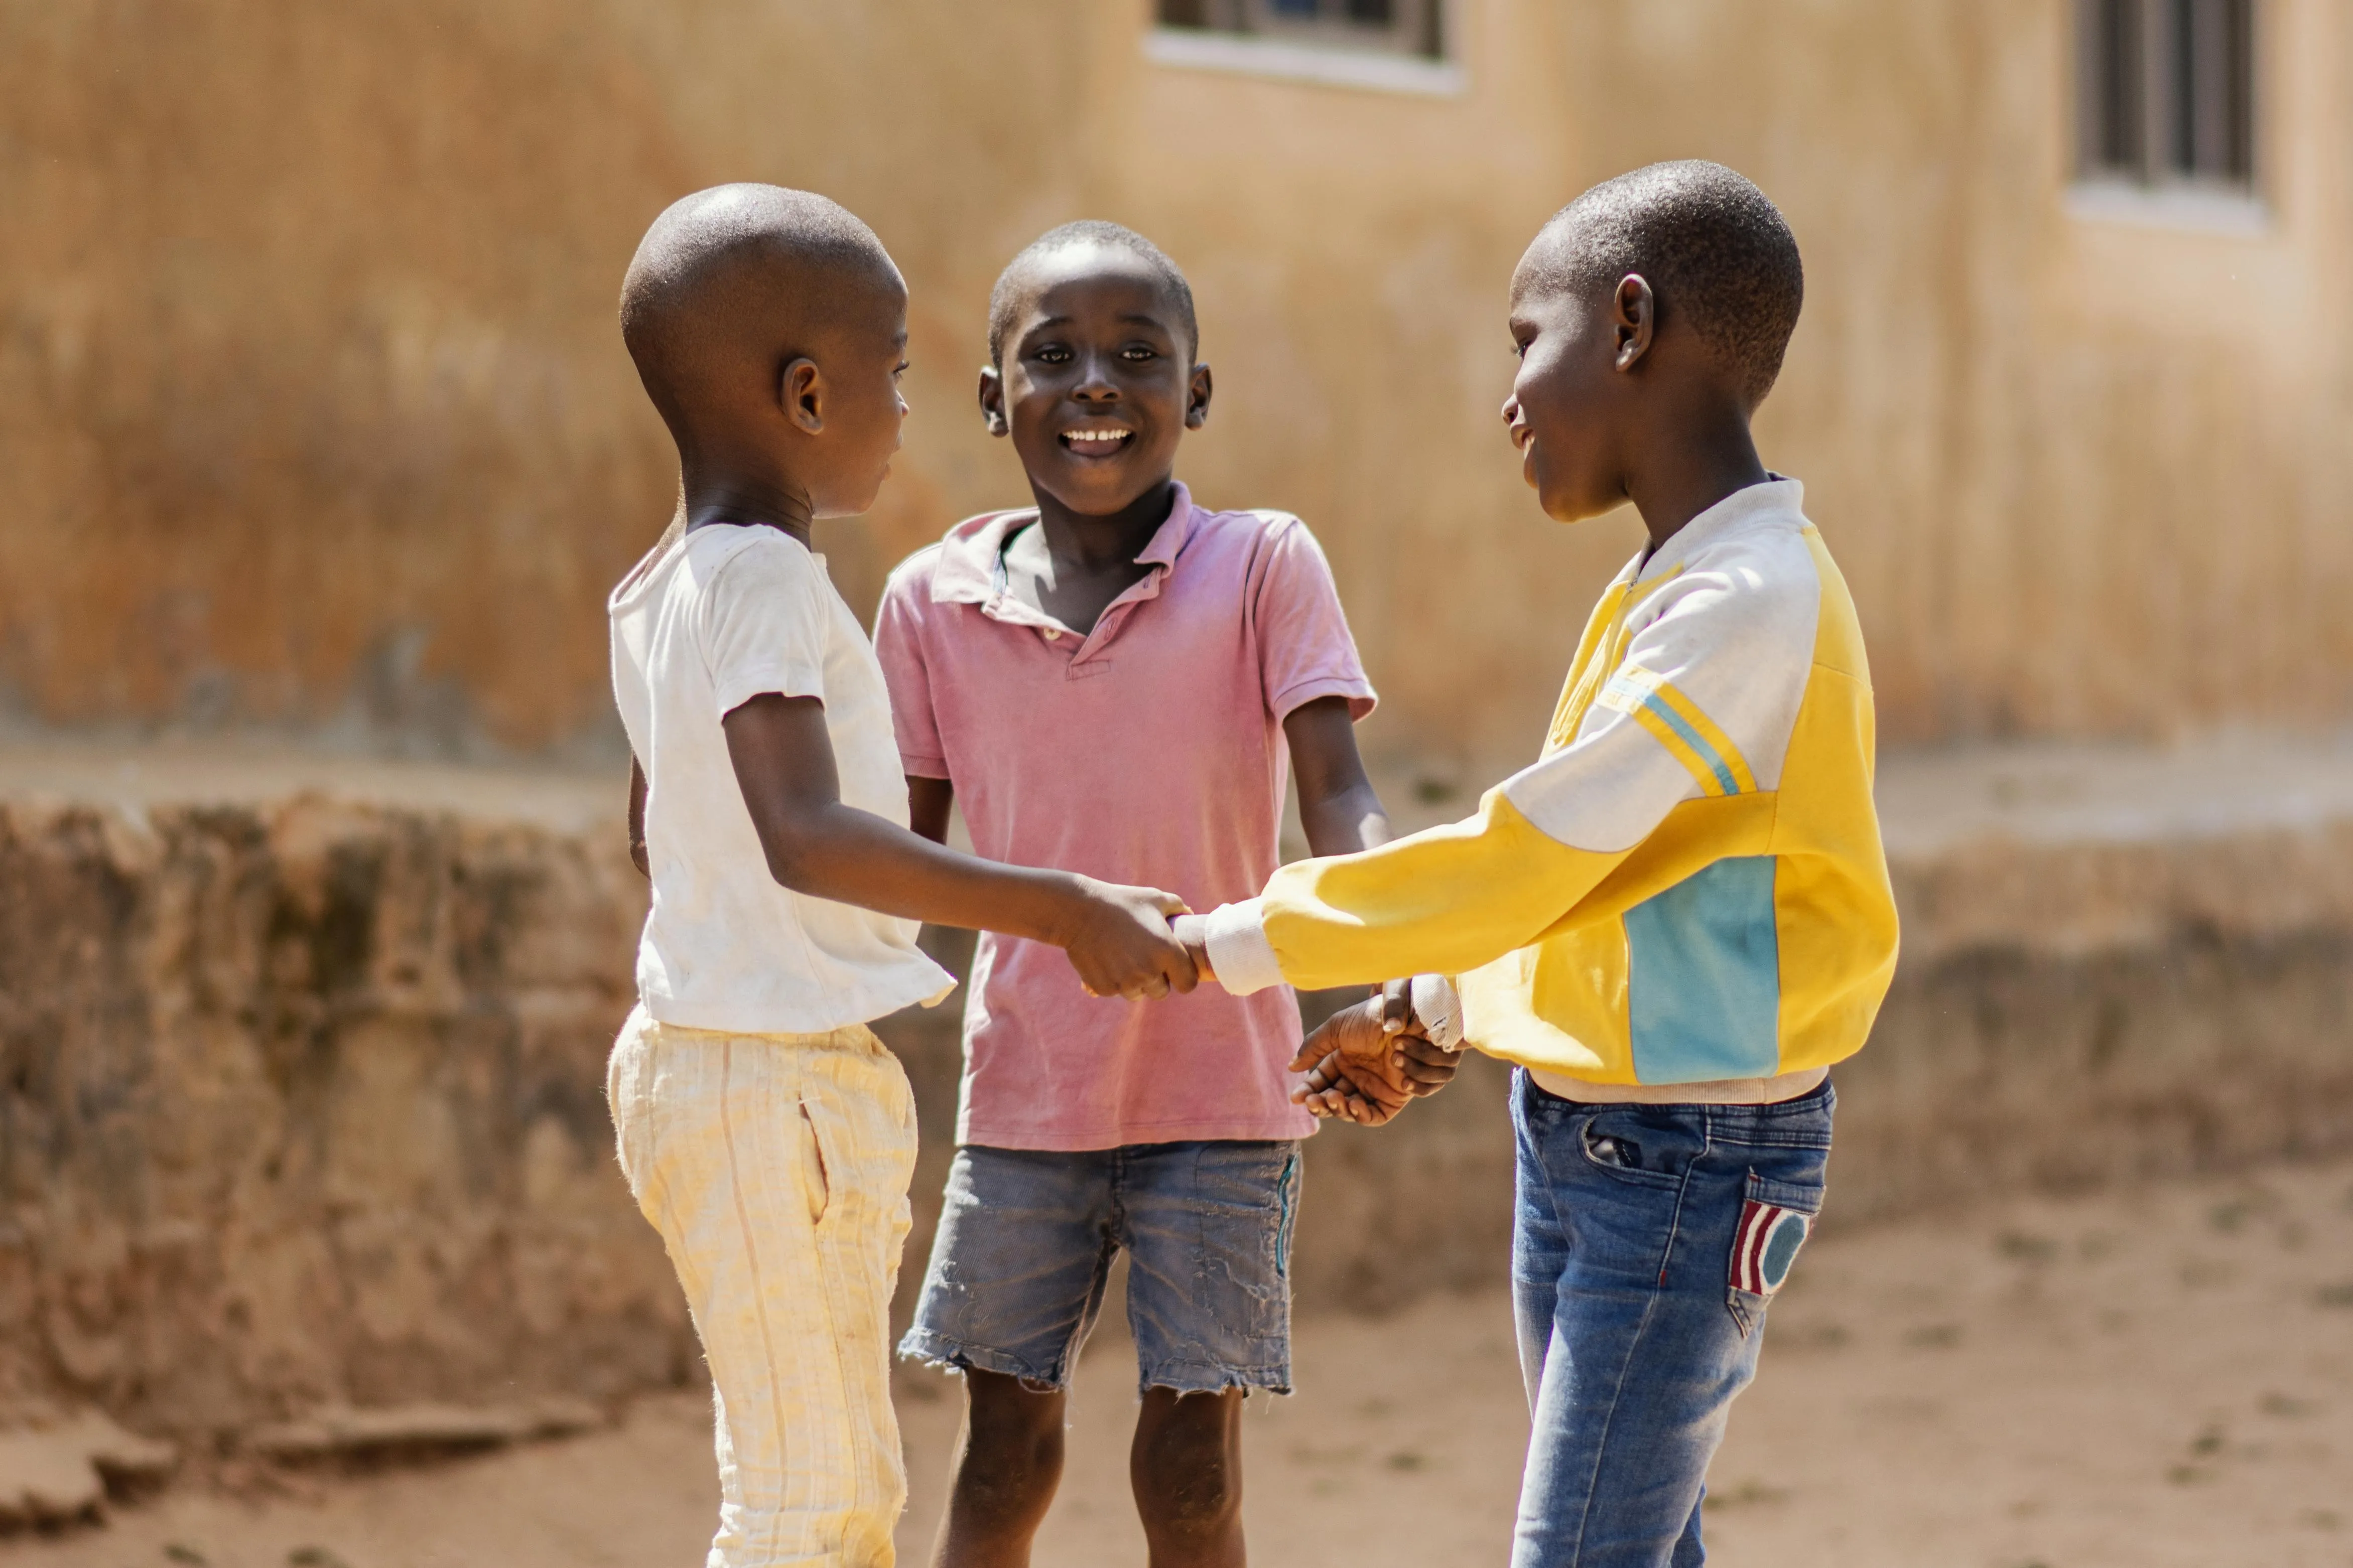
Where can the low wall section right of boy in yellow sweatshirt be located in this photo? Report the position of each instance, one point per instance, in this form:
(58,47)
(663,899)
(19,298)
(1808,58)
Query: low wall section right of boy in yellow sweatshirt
(2093,1012)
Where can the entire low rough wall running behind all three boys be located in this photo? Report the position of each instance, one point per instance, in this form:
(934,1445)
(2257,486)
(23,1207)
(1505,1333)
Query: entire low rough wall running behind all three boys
(302,1099)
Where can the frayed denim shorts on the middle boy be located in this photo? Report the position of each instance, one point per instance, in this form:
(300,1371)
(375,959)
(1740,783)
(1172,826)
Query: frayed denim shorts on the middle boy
(1027,1240)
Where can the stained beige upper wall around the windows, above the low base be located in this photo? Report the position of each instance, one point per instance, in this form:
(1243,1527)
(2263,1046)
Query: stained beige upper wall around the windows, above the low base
(314,417)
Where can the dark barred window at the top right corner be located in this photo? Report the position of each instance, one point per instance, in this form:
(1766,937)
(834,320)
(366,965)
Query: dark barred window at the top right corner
(2168,93)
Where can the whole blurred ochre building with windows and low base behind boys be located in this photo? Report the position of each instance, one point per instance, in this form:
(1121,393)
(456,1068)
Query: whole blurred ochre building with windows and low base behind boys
(319,455)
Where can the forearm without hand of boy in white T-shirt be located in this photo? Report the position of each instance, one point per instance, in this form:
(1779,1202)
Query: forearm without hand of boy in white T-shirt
(853,857)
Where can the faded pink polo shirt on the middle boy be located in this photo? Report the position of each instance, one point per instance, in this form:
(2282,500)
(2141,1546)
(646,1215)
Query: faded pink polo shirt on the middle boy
(1147,751)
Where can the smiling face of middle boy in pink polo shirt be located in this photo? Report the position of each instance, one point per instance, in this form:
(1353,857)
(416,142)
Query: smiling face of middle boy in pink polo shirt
(1098,382)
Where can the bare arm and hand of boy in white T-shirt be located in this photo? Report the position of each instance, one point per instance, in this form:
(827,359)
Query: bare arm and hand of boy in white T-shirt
(815,845)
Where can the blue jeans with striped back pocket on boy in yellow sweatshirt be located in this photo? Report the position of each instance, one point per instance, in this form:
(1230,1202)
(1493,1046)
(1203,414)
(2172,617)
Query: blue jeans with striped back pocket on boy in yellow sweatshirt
(1646,1247)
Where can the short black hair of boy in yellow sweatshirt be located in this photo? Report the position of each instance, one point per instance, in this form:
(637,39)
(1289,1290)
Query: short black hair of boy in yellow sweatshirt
(1712,246)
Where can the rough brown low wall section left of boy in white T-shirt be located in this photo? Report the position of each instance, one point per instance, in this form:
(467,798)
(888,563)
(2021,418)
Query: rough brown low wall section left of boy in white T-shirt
(302,1106)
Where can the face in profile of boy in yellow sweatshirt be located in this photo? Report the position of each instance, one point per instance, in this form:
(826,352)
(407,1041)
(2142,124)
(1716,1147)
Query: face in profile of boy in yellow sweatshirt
(1573,391)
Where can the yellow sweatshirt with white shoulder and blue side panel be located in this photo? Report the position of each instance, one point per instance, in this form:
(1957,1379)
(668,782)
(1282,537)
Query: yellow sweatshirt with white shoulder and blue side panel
(1688,885)
